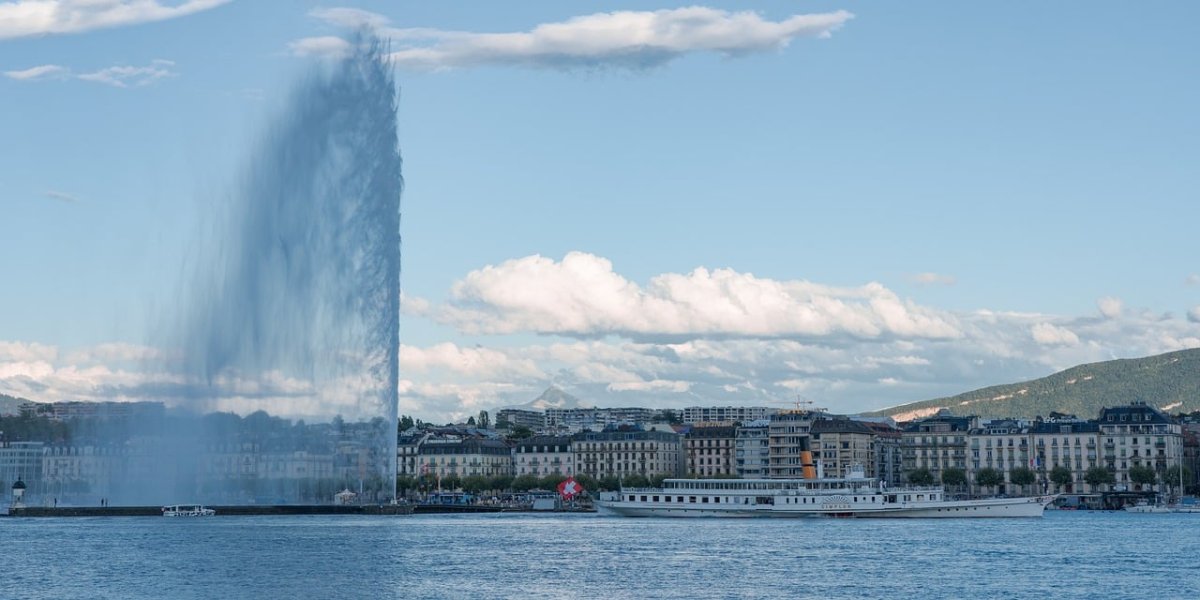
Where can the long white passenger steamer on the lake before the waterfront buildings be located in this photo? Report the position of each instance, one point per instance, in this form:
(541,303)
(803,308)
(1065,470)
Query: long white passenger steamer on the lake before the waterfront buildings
(855,496)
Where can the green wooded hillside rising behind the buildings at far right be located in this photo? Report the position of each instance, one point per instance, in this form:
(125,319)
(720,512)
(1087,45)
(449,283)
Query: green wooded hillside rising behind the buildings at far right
(1171,382)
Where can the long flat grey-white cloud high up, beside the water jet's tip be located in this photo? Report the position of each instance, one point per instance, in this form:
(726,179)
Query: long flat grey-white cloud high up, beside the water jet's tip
(621,39)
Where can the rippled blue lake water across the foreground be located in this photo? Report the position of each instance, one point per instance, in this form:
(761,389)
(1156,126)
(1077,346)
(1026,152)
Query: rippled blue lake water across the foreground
(1065,555)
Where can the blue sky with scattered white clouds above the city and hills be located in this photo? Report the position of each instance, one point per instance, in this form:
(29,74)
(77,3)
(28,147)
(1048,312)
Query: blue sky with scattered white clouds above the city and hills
(861,205)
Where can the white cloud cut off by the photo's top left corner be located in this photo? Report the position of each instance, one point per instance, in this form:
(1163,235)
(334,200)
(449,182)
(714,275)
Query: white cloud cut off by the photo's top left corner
(22,19)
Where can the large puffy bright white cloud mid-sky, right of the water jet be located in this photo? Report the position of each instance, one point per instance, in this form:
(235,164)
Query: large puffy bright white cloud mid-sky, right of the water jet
(583,296)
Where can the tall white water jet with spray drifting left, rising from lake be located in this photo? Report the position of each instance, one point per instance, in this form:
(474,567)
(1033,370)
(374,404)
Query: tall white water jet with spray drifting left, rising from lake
(295,308)
